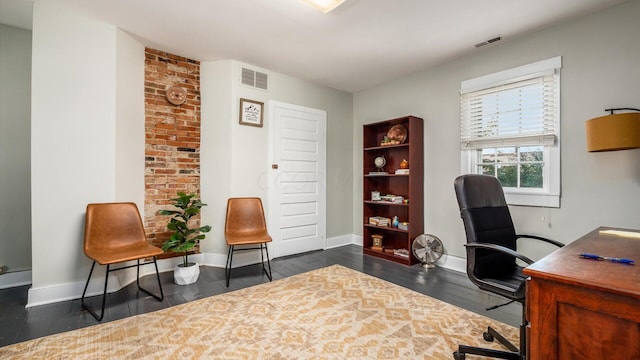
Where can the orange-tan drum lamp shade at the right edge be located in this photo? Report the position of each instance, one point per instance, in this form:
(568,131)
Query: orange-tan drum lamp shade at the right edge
(614,132)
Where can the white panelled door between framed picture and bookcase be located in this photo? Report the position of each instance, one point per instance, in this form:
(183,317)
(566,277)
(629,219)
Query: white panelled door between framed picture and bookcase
(297,195)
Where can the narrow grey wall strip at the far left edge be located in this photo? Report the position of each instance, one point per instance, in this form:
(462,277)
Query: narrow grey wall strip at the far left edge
(15,154)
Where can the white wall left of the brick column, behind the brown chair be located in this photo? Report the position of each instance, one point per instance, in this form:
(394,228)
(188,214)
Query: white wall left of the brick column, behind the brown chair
(82,70)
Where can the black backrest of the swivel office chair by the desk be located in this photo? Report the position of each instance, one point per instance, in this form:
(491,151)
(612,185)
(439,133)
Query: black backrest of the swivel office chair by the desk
(486,219)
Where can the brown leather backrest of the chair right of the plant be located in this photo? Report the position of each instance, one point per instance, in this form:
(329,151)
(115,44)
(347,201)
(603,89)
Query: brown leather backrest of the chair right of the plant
(245,216)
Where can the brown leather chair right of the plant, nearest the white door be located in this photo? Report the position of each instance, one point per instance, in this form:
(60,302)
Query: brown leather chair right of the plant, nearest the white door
(245,225)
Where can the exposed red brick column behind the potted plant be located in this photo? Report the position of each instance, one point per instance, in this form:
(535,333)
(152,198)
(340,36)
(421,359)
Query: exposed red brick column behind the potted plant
(172,137)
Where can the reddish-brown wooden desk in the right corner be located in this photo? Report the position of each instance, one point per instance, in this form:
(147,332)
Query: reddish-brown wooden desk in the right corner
(585,309)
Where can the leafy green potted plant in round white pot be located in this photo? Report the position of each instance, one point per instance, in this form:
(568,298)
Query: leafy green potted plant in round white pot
(184,238)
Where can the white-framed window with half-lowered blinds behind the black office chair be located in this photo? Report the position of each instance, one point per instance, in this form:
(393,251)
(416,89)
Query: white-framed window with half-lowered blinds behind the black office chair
(510,129)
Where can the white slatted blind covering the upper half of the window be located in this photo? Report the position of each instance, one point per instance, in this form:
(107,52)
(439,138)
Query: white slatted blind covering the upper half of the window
(522,112)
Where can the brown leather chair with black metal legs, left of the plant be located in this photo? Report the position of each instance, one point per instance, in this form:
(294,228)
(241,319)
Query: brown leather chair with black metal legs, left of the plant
(114,233)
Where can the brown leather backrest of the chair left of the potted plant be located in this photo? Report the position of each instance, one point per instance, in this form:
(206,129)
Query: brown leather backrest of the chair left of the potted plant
(112,226)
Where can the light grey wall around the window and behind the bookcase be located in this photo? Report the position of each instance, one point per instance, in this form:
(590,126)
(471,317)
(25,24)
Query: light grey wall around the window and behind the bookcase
(601,69)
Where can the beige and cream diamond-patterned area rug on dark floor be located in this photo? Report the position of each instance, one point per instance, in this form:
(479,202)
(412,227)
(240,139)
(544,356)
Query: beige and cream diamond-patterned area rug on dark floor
(330,313)
